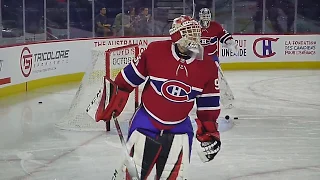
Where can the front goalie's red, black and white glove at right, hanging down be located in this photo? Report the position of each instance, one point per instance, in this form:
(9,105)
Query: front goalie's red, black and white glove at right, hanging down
(209,140)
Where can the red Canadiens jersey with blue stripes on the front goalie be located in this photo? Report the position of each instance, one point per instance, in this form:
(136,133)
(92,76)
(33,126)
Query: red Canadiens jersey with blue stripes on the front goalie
(172,84)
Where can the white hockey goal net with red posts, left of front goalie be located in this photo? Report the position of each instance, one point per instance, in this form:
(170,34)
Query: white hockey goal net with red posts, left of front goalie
(104,62)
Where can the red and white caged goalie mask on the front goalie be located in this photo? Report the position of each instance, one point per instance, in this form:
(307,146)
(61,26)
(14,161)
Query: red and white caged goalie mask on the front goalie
(186,32)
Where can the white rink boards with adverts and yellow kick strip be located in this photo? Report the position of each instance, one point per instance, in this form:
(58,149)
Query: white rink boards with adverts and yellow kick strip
(29,66)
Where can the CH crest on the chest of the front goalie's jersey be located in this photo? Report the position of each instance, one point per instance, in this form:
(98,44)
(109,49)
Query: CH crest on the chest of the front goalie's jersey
(175,91)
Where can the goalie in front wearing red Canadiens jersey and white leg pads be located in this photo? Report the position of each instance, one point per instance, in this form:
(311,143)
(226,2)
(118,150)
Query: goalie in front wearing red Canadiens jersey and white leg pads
(160,131)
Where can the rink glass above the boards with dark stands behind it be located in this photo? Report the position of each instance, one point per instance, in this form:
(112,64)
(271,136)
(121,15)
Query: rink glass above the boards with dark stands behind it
(23,21)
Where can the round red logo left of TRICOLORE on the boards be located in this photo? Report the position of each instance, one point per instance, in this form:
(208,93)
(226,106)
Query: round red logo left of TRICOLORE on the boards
(26,62)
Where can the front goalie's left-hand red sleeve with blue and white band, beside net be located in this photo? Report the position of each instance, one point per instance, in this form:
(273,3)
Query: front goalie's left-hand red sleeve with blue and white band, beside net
(133,74)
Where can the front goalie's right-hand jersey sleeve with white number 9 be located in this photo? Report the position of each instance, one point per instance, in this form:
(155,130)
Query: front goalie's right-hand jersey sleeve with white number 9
(208,102)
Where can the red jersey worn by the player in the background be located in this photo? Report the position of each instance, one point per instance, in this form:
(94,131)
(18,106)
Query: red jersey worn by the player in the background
(211,36)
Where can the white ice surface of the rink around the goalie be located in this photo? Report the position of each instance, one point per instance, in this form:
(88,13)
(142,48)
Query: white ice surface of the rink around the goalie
(276,137)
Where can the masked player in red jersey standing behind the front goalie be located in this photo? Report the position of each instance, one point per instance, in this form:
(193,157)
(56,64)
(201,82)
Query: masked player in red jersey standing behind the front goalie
(212,33)
